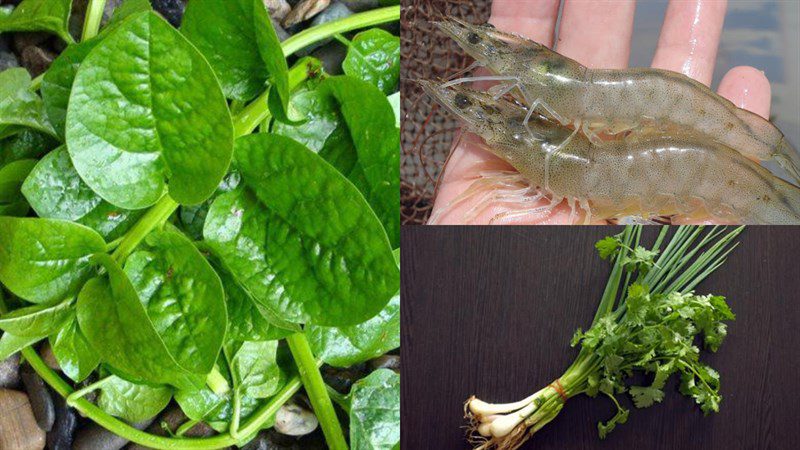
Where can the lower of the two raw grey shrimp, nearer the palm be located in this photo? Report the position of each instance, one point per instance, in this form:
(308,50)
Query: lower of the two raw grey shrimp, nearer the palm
(645,174)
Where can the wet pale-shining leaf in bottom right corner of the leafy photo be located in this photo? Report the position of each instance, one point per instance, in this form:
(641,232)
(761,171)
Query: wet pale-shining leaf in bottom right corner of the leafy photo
(375,411)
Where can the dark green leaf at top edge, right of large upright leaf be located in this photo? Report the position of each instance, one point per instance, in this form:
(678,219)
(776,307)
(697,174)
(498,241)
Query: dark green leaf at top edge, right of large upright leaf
(237,38)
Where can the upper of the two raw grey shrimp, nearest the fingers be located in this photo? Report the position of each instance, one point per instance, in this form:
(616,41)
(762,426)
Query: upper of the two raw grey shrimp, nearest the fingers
(614,101)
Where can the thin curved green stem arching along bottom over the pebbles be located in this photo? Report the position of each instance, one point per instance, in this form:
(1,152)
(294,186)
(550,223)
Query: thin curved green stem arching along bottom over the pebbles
(160,442)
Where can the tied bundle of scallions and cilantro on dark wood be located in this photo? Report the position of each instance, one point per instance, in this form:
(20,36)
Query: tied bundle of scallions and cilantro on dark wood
(649,320)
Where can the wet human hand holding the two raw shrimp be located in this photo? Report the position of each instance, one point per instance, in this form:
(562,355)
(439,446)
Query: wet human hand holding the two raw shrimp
(598,35)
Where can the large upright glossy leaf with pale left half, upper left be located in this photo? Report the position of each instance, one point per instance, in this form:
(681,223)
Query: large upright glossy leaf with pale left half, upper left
(145,110)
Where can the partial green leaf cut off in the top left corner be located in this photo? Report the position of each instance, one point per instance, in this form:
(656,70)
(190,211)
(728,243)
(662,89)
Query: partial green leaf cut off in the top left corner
(40,15)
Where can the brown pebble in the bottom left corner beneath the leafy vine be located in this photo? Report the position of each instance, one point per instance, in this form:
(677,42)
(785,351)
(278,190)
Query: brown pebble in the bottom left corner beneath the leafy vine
(18,428)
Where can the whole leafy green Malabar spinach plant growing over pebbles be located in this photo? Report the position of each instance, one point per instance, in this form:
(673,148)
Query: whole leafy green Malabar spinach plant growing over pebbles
(197,216)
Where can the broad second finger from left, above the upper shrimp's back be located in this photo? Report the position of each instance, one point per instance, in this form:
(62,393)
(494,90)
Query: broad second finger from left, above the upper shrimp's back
(597,34)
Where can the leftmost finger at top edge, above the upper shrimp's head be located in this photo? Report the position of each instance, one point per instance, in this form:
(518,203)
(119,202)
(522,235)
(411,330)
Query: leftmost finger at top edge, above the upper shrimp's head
(534,19)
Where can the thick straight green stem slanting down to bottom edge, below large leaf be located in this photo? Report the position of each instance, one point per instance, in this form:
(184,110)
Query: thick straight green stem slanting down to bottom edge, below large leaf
(317,391)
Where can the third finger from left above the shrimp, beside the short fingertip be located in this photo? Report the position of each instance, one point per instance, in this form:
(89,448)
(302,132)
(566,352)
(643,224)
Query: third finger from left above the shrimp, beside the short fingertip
(690,37)
